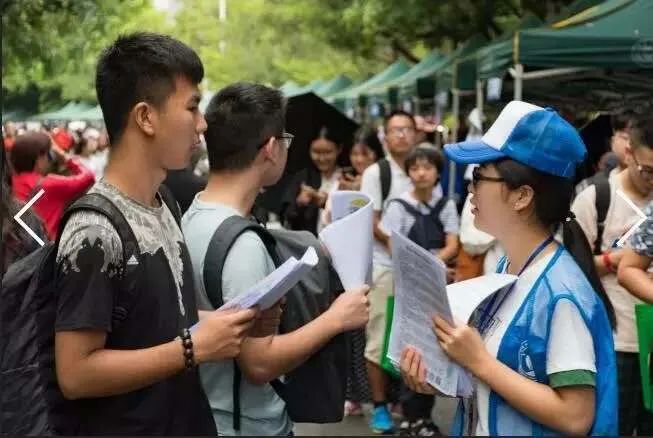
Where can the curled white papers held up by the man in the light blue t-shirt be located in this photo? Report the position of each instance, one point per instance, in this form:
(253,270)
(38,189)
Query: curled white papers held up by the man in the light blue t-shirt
(348,239)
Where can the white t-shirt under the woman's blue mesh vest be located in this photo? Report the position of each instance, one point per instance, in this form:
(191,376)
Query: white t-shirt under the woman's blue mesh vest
(570,342)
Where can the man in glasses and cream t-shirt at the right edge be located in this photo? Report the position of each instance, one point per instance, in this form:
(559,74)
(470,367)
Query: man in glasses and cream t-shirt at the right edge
(636,182)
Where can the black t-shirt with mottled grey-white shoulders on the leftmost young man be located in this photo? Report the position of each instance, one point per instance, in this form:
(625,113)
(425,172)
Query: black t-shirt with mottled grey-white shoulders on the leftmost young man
(90,277)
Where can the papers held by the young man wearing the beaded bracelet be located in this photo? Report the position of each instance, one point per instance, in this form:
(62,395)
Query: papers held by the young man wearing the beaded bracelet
(272,288)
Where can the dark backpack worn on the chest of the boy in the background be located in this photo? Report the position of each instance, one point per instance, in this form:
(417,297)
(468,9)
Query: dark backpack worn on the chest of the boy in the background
(427,231)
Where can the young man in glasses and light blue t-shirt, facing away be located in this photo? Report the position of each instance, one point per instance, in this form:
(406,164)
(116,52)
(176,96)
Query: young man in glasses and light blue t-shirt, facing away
(248,149)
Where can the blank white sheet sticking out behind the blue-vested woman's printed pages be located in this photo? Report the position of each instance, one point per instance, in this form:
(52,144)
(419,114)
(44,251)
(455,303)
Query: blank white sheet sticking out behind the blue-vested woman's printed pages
(465,296)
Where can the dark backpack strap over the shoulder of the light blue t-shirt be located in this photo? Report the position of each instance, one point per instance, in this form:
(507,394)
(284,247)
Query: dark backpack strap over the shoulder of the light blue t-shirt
(223,239)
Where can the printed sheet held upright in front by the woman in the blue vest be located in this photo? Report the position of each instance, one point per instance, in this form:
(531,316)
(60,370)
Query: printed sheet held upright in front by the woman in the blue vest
(420,291)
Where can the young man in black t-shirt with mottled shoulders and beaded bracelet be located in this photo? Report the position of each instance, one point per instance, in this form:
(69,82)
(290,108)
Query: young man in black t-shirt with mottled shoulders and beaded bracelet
(130,368)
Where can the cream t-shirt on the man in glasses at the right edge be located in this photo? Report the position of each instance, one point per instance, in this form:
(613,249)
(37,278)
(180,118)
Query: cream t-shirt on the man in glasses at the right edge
(619,219)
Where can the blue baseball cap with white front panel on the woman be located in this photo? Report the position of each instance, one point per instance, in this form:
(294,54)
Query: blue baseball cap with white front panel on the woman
(535,136)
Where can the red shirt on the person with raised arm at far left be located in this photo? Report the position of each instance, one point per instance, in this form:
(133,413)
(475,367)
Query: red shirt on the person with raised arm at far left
(59,191)
